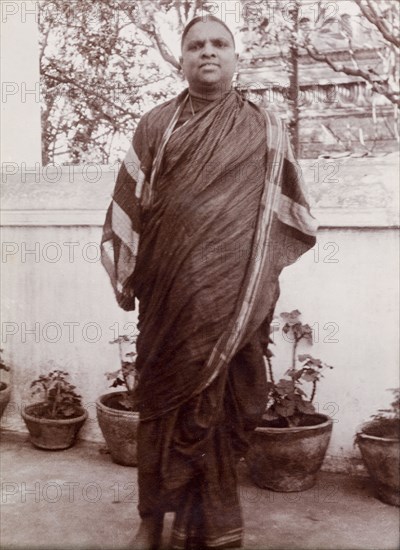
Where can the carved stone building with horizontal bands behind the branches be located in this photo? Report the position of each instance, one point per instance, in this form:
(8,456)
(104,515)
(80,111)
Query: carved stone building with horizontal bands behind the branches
(338,113)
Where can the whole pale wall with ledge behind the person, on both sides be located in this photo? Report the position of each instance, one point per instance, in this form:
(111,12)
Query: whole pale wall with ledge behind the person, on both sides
(58,305)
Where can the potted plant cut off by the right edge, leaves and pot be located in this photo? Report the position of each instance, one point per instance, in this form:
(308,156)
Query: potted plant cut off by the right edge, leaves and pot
(379,443)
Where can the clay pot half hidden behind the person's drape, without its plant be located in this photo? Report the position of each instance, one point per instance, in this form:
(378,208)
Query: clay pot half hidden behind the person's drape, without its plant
(119,428)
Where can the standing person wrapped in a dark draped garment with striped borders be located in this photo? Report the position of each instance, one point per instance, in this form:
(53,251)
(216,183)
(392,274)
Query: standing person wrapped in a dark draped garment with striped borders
(207,210)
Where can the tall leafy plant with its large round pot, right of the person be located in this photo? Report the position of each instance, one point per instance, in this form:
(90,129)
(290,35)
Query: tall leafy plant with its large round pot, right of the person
(289,444)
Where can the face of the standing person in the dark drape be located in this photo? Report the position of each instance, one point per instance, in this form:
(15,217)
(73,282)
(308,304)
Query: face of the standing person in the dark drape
(208,57)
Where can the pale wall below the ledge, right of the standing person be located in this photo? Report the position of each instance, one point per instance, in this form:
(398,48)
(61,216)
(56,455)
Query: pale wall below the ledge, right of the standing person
(349,293)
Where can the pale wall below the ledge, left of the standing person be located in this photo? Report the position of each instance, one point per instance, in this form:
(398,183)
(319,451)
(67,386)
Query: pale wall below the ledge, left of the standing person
(70,305)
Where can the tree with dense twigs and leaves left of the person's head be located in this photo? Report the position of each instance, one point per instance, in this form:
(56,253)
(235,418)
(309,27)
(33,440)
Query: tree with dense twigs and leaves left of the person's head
(102,65)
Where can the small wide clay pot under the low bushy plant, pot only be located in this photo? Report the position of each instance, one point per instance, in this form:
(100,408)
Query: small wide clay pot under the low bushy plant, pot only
(52,434)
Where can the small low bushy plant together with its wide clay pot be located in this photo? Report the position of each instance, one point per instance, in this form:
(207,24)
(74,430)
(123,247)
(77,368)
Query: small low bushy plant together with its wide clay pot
(55,420)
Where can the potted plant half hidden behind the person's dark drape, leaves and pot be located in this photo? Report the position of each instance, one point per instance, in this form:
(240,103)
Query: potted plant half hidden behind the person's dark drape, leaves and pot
(116,411)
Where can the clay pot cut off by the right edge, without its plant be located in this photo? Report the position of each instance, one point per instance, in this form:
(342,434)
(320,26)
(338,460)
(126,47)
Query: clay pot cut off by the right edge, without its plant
(381,456)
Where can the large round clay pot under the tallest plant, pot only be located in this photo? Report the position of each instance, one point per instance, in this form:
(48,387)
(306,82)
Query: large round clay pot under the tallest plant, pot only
(288,459)
